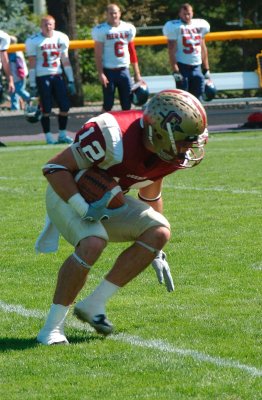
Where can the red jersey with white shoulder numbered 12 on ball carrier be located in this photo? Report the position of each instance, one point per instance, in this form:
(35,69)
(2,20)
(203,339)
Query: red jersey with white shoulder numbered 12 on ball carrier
(114,141)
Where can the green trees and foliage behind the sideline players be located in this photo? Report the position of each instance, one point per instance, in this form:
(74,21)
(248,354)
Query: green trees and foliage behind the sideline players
(77,17)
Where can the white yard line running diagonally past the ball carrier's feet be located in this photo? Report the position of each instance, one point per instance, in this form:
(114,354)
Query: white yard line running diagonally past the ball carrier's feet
(155,344)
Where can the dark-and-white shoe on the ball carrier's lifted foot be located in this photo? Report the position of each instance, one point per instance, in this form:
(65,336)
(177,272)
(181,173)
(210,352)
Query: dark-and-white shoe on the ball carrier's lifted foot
(99,322)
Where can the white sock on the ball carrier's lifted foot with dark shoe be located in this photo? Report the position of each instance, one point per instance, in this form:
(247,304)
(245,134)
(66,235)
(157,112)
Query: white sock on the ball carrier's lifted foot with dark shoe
(96,301)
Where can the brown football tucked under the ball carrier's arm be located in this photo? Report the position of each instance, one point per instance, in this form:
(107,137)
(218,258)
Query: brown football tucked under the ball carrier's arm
(93,183)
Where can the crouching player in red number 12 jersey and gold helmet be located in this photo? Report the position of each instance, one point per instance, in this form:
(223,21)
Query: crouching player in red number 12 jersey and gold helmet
(138,149)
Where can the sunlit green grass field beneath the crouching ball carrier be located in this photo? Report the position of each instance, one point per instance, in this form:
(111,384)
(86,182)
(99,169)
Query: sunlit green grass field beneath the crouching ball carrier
(201,342)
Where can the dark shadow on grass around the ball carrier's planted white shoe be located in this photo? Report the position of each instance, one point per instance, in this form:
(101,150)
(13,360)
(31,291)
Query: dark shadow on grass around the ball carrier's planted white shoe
(8,344)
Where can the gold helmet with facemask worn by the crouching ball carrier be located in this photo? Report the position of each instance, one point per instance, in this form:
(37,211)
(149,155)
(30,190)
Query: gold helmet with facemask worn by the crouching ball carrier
(175,123)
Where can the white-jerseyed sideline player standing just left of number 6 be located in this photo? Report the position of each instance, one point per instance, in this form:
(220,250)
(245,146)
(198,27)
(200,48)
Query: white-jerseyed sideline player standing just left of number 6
(47,51)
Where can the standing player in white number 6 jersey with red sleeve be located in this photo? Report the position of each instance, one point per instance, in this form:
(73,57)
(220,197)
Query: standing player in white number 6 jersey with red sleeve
(114,52)
